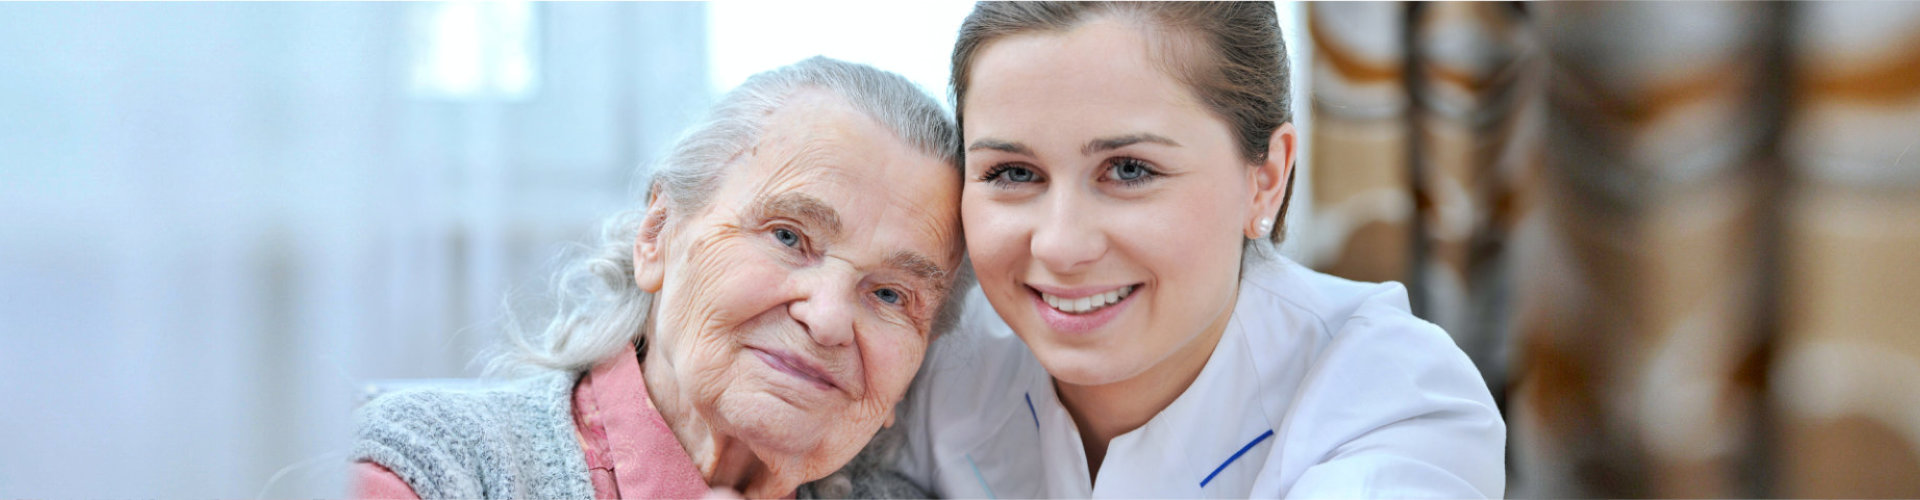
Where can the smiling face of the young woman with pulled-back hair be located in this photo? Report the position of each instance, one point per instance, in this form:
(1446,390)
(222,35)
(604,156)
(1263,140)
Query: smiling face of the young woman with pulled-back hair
(1105,205)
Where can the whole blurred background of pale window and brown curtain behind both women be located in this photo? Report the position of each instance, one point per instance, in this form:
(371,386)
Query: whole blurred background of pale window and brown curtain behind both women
(1677,239)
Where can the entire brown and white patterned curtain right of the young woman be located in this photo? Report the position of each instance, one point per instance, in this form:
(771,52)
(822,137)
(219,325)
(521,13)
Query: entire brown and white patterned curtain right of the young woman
(1677,239)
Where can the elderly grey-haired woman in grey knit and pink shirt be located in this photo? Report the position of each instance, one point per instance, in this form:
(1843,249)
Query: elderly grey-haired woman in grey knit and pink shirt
(752,328)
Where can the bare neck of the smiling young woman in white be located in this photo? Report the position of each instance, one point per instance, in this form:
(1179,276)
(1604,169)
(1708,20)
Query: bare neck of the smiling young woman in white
(1103,412)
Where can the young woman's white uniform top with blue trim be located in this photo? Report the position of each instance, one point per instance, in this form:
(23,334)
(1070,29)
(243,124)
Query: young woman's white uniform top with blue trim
(1320,389)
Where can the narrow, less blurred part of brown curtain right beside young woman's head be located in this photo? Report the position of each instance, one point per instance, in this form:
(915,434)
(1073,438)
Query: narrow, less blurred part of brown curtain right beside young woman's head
(1422,164)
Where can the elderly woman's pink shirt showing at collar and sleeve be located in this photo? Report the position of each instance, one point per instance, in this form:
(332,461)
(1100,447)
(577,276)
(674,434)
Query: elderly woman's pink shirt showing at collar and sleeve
(631,451)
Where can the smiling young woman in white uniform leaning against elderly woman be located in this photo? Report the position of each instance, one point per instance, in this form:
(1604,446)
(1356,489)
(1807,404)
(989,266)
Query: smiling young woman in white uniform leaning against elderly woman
(1126,172)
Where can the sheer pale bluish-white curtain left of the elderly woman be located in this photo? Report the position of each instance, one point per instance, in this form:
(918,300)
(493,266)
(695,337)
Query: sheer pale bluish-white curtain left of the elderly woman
(218,222)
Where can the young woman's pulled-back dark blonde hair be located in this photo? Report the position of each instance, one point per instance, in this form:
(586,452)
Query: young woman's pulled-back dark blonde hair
(1230,55)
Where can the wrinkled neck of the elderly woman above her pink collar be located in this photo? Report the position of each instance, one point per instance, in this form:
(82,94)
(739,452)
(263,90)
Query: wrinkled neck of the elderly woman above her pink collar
(723,461)
